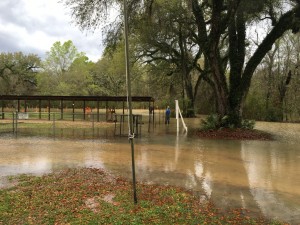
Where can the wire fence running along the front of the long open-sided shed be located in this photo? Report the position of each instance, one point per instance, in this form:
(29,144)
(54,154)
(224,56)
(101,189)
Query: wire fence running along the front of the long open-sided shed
(90,125)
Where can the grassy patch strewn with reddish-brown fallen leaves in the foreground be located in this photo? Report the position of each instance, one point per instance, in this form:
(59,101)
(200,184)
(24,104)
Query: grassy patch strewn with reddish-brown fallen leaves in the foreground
(92,196)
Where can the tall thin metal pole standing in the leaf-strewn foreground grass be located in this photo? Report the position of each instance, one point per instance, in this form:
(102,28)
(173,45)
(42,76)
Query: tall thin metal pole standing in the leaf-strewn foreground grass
(129,100)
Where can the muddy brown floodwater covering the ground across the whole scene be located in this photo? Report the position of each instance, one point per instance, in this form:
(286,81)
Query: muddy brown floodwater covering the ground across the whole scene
(263,176)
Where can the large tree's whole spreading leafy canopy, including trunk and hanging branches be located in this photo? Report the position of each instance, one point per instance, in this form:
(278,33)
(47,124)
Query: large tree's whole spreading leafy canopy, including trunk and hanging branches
(183,32)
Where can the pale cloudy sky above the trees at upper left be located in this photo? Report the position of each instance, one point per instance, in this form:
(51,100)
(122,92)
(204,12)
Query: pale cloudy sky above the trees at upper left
(32,26)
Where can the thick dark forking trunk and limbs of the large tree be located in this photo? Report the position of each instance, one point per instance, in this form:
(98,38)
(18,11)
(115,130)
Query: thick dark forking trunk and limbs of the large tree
(231,18)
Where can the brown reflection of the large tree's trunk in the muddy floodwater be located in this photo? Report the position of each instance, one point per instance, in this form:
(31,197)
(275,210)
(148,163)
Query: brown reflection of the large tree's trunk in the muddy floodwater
(223,177)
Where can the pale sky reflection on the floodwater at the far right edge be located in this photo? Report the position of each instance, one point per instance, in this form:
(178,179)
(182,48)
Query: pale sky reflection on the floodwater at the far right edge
(271,183)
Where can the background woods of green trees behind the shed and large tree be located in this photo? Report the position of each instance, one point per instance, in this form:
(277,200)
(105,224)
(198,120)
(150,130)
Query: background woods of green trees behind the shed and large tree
(164,70)
